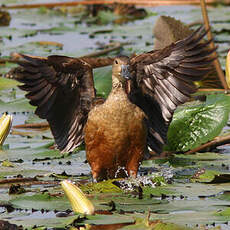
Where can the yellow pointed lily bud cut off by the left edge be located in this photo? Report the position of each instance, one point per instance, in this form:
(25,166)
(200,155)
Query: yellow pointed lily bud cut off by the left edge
(5,126)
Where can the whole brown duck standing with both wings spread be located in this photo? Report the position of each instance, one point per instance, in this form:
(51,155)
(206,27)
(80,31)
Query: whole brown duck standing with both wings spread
(117,132)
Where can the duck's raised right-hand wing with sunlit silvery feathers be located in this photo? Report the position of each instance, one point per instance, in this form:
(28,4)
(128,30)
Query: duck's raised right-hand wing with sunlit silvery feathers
(163,79)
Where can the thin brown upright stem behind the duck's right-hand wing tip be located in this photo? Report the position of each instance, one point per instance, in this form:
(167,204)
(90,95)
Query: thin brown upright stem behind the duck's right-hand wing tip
(212,45)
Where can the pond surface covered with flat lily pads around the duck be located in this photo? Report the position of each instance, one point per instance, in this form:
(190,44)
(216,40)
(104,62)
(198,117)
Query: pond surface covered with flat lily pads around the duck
(175,199)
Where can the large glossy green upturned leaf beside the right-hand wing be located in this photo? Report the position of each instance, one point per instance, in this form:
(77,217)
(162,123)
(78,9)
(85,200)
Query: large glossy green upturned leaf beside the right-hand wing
(198,124)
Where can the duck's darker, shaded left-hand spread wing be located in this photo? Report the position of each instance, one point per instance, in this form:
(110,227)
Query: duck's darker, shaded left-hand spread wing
(63,91)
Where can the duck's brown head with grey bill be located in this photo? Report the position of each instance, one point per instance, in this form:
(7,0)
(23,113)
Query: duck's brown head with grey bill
(121,70)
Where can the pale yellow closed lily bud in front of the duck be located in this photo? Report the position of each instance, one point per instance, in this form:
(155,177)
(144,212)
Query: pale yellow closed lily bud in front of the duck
(79,202)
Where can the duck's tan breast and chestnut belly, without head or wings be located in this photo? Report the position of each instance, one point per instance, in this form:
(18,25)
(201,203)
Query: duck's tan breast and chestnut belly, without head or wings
(115,137)
